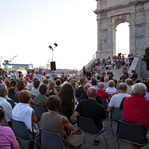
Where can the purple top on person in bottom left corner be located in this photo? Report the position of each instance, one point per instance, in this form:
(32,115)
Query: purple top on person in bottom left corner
(7,138)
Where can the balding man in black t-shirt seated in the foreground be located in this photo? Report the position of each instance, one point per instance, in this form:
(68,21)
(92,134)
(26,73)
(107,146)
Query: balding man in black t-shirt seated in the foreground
(91,109)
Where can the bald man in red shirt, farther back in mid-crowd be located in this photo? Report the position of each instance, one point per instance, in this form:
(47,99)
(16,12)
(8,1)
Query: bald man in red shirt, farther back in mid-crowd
(104,95)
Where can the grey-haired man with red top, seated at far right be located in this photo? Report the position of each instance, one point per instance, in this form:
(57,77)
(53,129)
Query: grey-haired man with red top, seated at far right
(136,107)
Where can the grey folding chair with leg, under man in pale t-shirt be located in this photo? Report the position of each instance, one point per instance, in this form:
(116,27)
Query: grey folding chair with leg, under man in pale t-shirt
(115,115)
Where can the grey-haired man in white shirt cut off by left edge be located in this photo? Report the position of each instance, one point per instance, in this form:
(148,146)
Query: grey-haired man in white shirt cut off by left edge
(3,102)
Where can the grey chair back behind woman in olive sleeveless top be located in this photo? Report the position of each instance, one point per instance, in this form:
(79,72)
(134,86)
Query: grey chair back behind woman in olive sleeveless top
(50,140)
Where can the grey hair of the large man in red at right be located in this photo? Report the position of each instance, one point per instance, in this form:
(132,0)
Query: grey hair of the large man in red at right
(139,89)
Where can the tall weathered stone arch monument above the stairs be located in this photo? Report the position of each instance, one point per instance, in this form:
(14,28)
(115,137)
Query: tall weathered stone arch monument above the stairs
(110,13)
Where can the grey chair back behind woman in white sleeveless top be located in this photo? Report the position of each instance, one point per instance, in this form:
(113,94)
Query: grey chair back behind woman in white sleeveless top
(20,130)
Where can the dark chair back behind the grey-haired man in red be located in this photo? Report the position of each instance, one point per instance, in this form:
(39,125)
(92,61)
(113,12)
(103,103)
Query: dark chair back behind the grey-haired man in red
(132,133)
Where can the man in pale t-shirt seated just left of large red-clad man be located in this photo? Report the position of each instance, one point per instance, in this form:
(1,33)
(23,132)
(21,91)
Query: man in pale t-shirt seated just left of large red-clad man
(116,99)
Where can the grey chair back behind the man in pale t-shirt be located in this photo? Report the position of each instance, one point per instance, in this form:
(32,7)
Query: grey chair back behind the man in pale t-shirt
(116,114)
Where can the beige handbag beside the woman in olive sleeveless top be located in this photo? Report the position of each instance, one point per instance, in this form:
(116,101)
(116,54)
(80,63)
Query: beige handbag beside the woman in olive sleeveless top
(76,138)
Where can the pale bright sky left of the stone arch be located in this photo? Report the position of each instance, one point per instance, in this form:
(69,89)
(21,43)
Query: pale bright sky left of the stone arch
(28,27)
